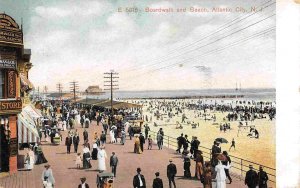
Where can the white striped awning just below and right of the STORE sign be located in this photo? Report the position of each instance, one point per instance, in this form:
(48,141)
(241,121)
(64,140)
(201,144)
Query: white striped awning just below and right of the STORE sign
(27,131)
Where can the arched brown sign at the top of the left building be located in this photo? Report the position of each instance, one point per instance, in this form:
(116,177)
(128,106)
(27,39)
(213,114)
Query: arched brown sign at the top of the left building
(9,30)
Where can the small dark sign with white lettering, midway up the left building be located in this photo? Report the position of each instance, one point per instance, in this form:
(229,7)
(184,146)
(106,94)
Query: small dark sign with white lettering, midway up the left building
(8,60)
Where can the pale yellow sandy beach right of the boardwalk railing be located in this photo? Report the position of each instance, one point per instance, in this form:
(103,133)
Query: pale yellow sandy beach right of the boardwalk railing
(261,151)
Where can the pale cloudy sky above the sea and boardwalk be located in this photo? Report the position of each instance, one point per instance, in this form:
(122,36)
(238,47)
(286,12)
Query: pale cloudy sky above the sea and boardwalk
(80,40)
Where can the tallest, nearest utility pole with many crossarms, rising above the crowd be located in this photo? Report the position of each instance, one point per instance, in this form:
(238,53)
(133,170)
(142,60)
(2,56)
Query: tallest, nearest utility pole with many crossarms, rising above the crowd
(111,84)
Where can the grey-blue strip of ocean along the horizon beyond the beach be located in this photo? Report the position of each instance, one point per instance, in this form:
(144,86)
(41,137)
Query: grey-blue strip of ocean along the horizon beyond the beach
(249,94)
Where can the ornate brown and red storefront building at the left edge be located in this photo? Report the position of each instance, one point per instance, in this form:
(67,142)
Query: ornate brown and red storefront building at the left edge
(14,85)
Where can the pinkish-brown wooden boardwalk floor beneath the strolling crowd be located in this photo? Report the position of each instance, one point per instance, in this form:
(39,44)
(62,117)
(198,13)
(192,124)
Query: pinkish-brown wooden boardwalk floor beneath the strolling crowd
(67,176)
